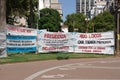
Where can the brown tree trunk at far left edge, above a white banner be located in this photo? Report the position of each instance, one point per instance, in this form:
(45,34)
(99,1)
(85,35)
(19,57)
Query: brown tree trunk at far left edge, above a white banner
(2,14)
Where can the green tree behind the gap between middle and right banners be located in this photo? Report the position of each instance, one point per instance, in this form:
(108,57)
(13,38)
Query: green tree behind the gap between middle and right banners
(76,22)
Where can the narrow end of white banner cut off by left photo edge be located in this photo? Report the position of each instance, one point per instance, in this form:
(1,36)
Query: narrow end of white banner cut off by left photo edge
(3,44)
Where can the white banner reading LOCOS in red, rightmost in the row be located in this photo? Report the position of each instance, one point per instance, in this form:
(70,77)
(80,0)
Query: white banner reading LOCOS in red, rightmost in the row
(94,42)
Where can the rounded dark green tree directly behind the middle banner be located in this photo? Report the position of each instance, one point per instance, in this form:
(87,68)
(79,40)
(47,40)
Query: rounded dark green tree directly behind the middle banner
(50,19)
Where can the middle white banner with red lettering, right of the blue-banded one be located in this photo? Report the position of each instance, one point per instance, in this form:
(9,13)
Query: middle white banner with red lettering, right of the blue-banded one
(53,41)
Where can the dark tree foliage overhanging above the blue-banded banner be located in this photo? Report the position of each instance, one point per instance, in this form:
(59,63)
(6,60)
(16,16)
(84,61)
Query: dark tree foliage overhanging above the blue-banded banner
(22,8)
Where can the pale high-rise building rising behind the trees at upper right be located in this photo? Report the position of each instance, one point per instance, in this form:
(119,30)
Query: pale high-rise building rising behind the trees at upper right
(91,8)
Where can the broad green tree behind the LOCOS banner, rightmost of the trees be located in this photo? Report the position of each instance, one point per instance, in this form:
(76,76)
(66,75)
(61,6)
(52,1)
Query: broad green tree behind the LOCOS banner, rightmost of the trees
(103,22)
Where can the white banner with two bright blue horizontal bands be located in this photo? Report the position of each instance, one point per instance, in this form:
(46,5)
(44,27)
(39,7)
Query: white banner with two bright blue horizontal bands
(20,39)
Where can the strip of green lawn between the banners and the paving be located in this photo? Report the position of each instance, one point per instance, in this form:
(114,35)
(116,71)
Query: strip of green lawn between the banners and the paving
(47,56)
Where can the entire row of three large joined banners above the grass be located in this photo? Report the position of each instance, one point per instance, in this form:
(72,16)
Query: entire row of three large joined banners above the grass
(21,39)
